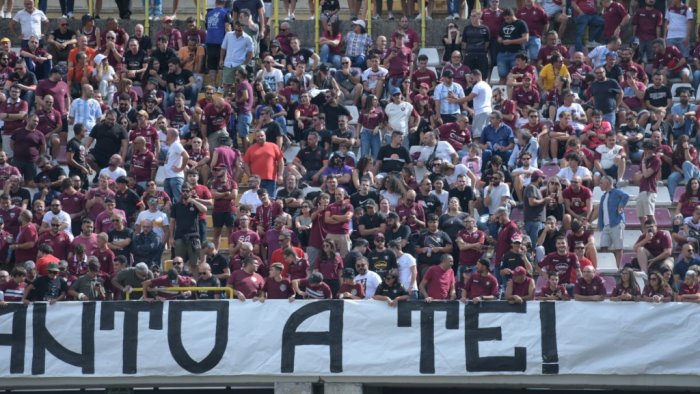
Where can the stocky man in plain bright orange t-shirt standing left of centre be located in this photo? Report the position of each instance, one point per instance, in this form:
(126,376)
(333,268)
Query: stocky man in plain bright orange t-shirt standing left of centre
(265,159)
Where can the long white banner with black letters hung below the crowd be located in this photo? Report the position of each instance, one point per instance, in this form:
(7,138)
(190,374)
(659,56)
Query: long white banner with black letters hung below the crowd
(346,338)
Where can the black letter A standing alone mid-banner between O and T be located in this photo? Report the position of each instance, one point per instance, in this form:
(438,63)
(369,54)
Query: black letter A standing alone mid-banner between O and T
(333,338)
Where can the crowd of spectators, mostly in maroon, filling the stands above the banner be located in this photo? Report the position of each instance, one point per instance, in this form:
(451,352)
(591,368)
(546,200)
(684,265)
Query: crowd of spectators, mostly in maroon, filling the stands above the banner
(451,185)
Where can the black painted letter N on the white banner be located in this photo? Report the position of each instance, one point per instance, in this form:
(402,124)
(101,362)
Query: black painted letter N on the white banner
(44,341)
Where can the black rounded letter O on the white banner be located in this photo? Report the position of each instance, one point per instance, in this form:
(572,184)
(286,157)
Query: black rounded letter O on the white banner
(177,349)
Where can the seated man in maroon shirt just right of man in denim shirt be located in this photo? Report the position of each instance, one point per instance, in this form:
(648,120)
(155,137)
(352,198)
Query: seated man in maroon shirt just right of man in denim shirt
(654,248)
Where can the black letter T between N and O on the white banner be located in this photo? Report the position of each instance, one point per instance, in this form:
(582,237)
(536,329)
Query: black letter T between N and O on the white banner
(130,339)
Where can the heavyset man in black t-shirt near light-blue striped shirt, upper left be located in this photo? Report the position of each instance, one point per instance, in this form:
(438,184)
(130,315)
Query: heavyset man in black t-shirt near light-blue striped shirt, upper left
(110,139)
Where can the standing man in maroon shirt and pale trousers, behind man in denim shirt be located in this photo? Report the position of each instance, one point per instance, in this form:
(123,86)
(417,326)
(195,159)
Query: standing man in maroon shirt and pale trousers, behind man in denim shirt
(649,168)
